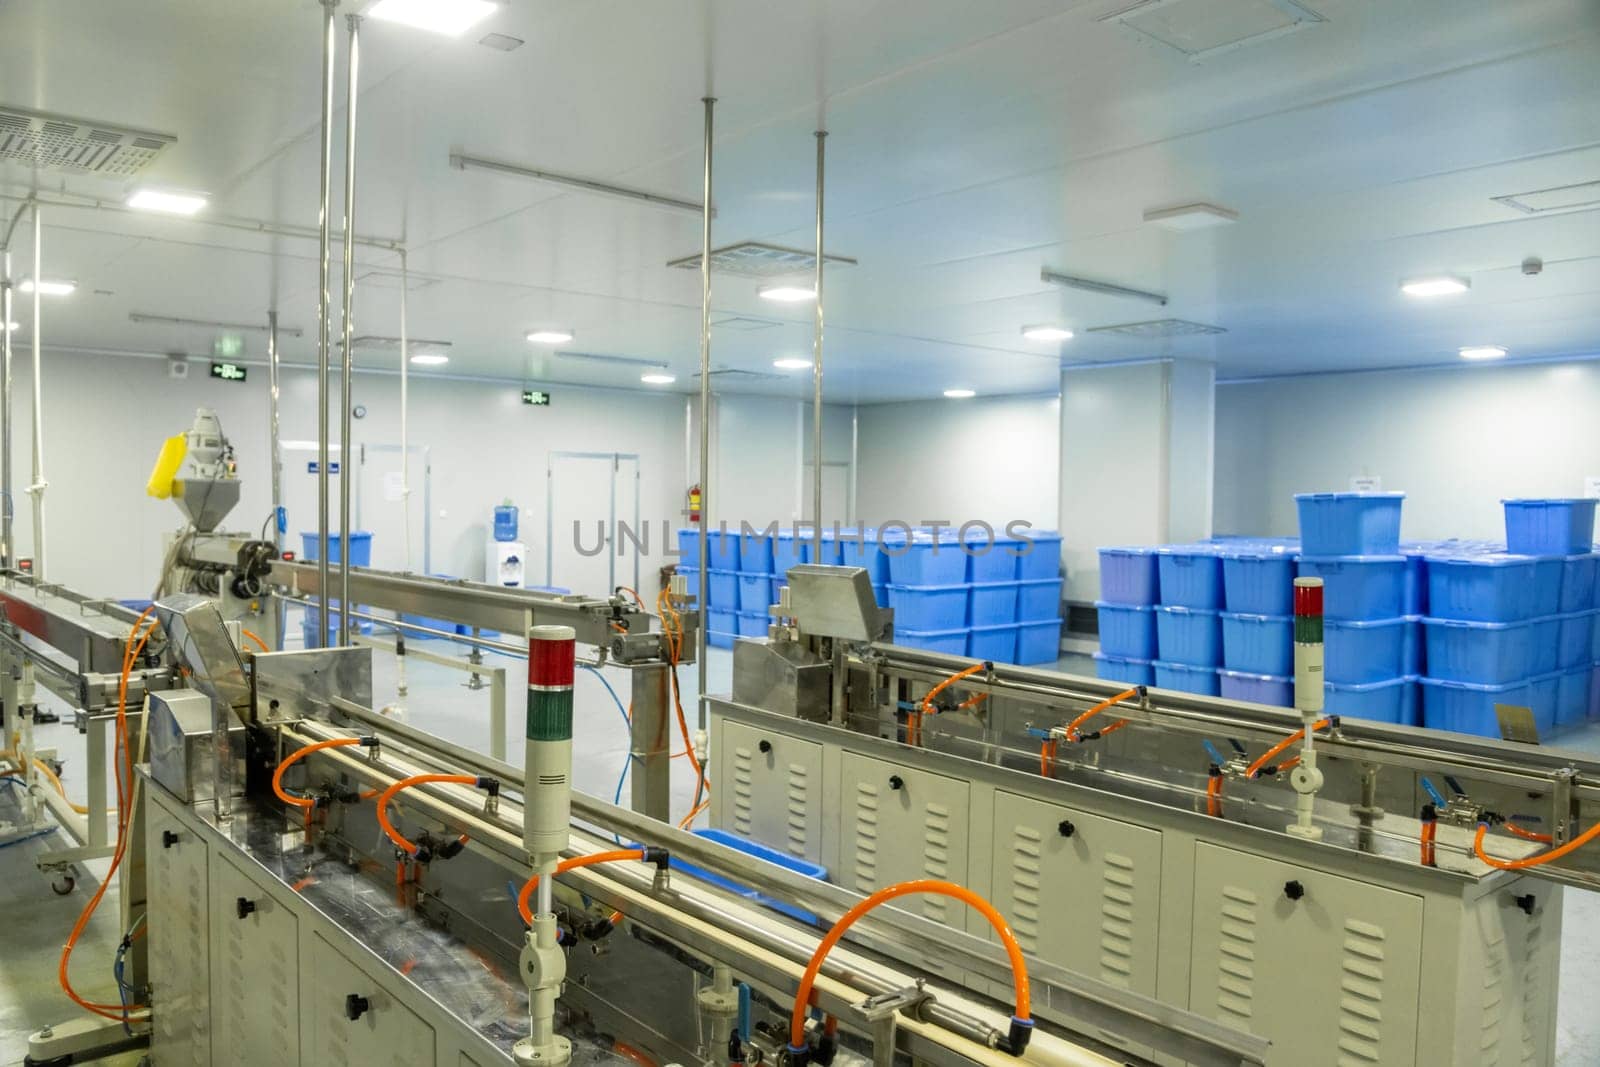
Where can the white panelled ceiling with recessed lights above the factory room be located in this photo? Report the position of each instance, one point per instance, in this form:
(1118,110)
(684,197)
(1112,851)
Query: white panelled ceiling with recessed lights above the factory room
(970,146)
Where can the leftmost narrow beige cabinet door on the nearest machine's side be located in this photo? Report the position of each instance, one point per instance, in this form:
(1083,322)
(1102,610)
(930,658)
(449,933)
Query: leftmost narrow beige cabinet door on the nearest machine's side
(180,959)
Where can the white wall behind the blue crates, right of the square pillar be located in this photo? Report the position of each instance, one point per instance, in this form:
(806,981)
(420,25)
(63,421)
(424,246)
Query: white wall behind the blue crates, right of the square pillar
(1455,441)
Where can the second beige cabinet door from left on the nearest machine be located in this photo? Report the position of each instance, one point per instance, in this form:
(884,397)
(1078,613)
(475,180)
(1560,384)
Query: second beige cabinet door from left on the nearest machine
(255,973)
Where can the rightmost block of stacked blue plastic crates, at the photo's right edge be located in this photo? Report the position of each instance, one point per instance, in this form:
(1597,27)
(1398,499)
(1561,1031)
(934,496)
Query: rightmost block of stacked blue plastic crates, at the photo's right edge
(1514,625)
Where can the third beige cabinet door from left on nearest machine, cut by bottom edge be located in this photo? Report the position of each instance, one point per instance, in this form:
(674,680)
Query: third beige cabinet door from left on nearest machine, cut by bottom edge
(383,1031)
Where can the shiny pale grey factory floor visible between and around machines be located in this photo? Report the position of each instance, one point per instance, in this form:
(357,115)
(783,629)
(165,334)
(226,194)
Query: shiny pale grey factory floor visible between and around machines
(34,922)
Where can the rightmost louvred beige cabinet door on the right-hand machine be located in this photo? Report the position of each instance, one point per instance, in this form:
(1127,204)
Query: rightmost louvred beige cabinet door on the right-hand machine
(1263,932)
